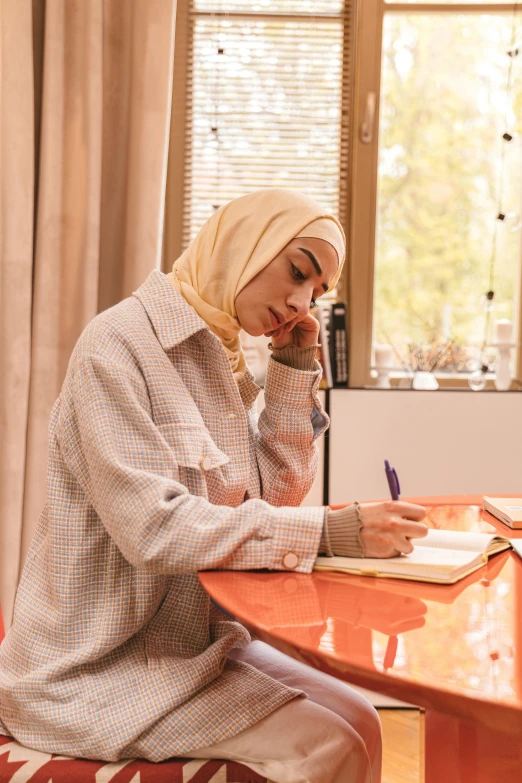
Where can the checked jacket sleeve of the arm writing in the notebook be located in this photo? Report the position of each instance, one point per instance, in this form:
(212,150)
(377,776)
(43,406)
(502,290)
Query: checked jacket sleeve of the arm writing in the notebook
(129,473)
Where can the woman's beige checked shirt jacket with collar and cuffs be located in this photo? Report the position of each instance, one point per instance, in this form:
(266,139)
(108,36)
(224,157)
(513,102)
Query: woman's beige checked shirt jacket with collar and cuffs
(158,467)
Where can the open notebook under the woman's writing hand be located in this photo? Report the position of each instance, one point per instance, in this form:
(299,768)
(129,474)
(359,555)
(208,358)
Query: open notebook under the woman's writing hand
(443,556)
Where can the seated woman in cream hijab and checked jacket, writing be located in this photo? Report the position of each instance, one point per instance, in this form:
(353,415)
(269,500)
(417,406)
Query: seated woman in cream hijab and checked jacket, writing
(158,468)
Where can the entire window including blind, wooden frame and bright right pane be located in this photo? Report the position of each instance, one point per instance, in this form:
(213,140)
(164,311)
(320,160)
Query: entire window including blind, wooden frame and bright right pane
(391,114)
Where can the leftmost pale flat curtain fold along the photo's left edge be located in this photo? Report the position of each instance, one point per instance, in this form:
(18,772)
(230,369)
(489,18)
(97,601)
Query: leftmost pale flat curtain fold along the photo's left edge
(16,272)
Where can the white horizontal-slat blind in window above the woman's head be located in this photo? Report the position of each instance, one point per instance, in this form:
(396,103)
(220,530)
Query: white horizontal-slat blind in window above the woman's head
(268,93)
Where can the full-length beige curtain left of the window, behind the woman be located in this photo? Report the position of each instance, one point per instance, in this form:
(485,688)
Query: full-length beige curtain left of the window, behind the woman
(85,100)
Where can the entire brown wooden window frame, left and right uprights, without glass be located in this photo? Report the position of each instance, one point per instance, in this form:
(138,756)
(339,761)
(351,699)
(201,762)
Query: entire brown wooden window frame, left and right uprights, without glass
(359,163)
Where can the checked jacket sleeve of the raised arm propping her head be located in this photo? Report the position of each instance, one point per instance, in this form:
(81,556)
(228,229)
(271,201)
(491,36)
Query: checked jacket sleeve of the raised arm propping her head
(288,426)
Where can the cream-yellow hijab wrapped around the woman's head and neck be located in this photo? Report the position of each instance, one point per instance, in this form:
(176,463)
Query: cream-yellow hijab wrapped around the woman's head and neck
(236,243)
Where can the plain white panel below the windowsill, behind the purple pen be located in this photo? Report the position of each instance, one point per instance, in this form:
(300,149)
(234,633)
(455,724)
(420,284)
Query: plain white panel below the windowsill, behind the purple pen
(442,442)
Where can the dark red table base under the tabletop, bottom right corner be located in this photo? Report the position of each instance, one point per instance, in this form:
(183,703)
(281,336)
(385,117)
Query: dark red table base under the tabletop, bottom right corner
(461,751)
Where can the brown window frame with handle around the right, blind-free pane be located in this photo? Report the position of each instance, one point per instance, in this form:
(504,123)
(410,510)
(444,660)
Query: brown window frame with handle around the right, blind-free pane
(363,218)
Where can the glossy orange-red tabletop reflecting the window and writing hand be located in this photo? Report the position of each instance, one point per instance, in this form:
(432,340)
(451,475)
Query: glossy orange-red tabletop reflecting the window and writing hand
(463,636)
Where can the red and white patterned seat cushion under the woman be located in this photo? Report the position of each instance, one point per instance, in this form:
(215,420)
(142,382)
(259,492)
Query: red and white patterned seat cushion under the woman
(22,765)
